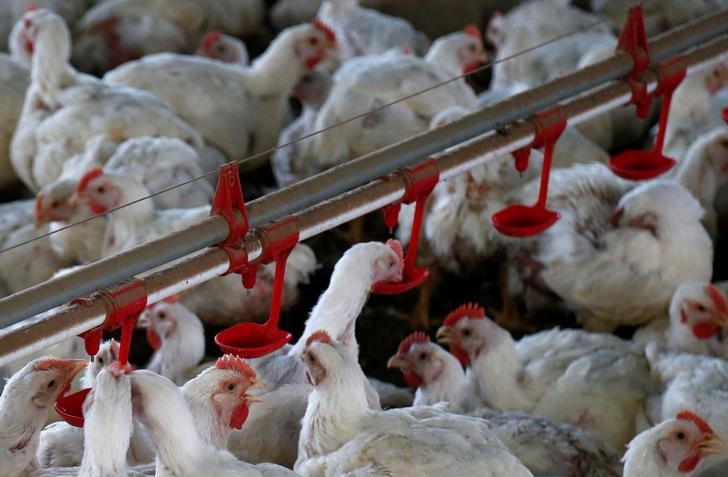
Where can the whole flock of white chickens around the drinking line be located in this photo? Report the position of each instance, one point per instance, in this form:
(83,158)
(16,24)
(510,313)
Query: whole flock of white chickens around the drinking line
(162,92)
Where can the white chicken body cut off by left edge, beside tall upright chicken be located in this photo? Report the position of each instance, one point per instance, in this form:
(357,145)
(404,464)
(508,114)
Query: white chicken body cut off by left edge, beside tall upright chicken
(15,79)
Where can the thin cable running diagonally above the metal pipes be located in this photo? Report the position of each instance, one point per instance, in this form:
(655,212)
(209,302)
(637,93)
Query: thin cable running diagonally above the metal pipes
(257,155)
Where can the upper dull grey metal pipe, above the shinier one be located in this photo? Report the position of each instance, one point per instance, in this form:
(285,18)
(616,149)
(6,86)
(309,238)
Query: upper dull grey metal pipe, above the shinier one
(345,177)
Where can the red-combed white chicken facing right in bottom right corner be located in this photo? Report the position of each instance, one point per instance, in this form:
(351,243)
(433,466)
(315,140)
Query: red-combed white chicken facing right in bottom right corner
(673,448)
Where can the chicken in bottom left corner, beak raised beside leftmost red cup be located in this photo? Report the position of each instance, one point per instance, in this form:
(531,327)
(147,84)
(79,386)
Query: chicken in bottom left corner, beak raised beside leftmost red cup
(24,406)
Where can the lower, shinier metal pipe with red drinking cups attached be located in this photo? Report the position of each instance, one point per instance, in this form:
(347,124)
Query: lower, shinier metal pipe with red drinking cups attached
(35,334)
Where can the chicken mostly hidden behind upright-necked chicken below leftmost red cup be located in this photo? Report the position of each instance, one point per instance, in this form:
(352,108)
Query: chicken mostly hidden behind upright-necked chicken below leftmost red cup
(62,445)
